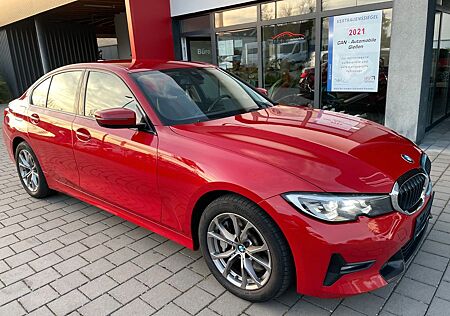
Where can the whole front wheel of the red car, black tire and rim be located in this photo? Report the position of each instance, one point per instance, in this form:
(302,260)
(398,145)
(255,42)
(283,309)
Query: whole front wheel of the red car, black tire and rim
(272,264)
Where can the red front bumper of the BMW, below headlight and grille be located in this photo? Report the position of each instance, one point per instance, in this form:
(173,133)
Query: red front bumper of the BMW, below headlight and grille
(383,245)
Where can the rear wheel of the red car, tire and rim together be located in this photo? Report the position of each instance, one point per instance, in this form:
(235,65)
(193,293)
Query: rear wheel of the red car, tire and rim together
(35,184)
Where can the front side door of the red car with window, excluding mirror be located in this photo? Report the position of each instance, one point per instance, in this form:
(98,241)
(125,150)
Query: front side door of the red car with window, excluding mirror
(116,165)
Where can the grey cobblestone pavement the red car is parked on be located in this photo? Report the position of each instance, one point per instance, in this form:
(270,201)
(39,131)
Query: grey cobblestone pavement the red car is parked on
(61,256)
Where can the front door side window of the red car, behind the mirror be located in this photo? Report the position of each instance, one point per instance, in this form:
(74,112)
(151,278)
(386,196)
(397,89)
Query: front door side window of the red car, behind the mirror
(107,91)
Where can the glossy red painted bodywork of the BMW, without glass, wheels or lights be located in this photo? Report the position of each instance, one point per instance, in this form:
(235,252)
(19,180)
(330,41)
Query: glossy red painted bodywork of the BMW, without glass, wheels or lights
(161,180)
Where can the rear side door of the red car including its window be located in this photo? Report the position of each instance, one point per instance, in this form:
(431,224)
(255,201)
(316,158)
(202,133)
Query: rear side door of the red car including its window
(51,113)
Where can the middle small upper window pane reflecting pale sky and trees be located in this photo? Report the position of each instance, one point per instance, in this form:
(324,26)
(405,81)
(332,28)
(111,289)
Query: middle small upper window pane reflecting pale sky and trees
(286,8)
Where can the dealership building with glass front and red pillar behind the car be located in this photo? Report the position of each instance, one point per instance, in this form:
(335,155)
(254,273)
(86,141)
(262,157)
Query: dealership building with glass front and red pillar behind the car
(386,61)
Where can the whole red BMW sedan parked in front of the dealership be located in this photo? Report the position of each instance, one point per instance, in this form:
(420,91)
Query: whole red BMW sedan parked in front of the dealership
(272,195)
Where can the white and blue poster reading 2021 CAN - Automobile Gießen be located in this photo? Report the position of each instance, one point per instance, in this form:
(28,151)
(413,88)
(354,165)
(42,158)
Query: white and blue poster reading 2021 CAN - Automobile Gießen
(354,52)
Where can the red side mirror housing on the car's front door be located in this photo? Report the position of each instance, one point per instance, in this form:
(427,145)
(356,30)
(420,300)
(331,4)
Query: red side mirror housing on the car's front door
(116,118)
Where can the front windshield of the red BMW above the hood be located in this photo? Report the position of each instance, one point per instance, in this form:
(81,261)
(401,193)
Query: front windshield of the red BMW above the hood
(189,95)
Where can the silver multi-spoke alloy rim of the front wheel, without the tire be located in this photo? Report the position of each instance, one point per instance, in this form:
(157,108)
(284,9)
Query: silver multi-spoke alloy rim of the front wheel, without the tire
(239,251)
